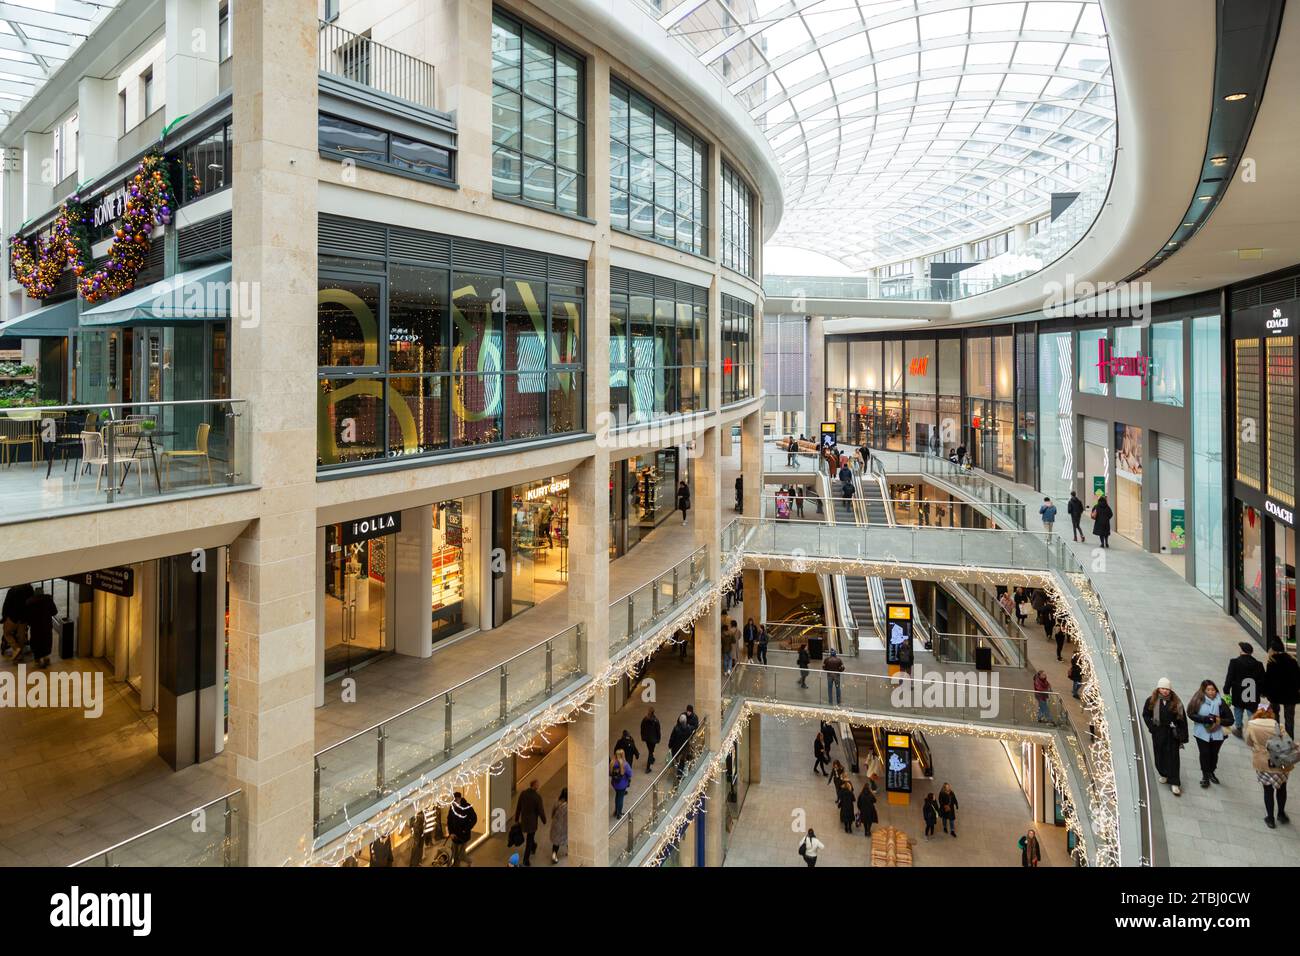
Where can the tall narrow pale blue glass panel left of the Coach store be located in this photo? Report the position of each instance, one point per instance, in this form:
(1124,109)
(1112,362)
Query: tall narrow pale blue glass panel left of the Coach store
(1208,456)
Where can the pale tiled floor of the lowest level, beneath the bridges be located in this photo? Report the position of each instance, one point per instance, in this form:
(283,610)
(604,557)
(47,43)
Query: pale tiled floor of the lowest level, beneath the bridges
(993,815)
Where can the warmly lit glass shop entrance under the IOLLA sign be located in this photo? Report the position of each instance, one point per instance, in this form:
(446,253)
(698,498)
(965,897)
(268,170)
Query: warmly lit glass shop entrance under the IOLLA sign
(357,600)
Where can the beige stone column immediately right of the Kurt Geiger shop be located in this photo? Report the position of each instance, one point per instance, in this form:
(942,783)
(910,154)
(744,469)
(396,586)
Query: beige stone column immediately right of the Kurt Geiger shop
(590,516)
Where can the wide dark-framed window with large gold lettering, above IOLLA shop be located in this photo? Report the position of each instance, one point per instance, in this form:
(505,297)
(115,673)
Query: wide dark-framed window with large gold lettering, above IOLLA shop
(471,358)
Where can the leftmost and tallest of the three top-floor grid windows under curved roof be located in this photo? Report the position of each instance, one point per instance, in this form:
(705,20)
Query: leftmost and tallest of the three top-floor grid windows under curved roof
(539,139)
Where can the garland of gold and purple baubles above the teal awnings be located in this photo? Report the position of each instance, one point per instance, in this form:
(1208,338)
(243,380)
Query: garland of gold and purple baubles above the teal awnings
(38,266)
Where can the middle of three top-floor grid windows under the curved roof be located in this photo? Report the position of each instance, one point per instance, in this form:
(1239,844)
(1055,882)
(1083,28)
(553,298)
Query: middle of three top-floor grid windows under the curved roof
(658,174)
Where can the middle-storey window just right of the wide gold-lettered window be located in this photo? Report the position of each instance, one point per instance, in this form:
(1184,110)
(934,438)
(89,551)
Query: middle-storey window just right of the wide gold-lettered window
(660,360)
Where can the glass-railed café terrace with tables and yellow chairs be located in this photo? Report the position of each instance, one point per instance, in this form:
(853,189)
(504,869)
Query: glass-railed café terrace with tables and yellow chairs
(73,458)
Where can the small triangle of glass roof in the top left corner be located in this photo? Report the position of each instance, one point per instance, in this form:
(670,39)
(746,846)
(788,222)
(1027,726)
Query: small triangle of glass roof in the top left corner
(36,38)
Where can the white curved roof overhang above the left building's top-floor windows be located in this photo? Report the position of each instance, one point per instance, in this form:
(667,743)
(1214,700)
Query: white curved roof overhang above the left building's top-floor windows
(630,34)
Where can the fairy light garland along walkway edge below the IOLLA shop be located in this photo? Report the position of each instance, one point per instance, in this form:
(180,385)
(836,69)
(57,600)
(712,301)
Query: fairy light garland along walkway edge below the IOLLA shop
(396,820)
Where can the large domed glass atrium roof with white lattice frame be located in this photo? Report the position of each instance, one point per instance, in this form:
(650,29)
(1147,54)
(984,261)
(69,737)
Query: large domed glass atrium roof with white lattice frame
(905,128)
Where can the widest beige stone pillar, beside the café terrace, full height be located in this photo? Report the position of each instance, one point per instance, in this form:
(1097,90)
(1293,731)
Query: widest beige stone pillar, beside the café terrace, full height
(274,563)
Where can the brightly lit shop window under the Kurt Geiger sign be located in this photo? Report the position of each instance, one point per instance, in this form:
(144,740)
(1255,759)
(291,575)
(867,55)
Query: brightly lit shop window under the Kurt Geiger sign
(539,542)
